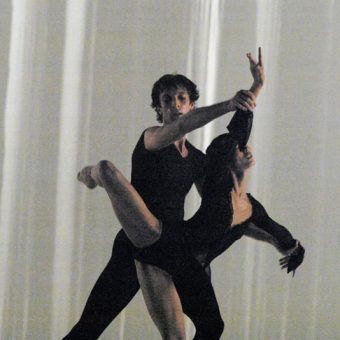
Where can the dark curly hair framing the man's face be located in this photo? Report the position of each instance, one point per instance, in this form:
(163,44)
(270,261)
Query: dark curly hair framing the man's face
(171,81)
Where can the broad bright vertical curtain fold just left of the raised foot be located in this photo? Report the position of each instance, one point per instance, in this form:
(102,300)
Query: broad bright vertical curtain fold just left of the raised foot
(72,97)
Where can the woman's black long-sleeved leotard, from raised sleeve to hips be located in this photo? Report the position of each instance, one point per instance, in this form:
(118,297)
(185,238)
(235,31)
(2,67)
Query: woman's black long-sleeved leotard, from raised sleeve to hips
(209,231)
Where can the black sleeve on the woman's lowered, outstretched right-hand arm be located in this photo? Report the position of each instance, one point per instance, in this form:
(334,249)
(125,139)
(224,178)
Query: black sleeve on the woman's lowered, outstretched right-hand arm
(276,234)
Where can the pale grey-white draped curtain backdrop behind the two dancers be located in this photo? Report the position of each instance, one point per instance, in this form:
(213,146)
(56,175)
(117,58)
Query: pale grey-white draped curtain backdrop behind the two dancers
(76,79)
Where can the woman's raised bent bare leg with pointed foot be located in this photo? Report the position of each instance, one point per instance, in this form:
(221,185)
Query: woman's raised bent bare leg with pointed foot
(140,225)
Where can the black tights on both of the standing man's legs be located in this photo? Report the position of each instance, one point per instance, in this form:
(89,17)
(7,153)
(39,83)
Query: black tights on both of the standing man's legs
(118,284)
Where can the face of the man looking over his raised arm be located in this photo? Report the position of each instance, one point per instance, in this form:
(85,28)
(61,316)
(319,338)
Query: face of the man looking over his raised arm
(175,102)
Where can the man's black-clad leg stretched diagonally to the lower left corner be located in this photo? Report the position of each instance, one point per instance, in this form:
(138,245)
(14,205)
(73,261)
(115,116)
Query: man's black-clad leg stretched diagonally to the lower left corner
(114,289)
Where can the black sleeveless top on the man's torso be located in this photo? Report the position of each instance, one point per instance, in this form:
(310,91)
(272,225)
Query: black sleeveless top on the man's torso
(163,178)
